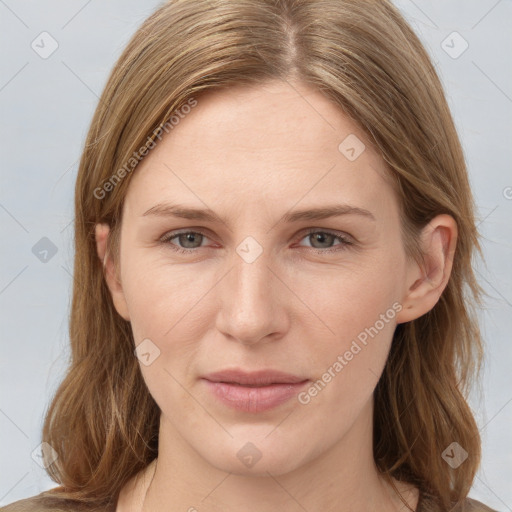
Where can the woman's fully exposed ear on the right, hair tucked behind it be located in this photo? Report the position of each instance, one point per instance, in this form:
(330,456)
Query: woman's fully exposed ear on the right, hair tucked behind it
(424,285)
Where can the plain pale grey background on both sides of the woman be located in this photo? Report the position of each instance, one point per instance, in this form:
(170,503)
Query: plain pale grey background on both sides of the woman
(46,106)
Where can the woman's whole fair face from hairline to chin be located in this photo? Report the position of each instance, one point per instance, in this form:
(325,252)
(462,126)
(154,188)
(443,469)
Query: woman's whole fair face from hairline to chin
(256,285)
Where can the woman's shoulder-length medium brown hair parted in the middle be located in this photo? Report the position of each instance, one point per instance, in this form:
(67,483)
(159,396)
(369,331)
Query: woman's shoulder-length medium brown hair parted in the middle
(362,55)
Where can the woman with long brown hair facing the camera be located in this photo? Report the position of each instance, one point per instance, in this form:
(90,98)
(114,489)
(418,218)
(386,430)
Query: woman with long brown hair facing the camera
(274,229)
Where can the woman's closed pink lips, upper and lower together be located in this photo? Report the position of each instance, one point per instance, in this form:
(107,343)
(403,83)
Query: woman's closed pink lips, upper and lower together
(253,391)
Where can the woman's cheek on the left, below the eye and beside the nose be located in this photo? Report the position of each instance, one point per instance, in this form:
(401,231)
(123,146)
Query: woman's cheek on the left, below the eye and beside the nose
(166,308)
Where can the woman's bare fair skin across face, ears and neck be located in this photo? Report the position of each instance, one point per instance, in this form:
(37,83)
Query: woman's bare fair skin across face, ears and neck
(252,155)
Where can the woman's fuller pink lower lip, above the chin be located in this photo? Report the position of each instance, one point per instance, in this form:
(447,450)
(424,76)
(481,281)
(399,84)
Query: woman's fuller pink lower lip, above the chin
(254,399)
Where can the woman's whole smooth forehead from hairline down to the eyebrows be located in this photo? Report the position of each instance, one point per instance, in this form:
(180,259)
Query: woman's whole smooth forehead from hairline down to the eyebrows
(276,142)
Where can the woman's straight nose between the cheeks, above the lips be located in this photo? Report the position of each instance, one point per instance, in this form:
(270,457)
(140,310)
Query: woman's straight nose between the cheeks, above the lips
(252,303)
